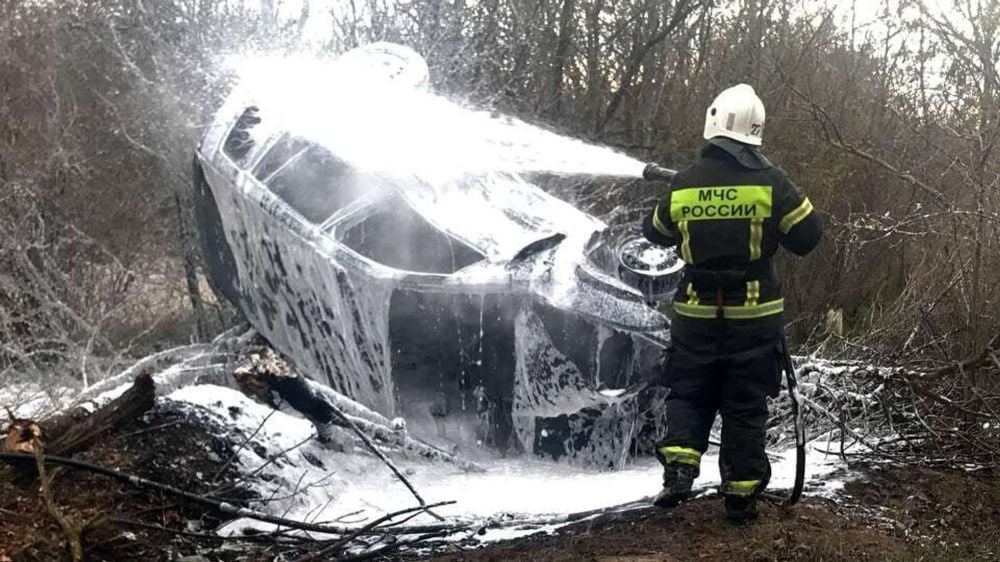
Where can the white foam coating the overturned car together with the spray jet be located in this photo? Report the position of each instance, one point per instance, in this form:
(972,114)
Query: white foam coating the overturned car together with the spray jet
(329,311)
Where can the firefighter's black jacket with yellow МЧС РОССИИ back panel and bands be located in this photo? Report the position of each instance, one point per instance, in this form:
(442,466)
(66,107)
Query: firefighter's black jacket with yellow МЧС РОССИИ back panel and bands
(727,214)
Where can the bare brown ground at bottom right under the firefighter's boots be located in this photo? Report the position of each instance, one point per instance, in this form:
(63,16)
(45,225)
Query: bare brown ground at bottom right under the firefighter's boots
(900,513)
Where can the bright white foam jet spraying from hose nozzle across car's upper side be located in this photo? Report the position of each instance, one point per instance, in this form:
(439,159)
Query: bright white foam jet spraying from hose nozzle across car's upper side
(372,108)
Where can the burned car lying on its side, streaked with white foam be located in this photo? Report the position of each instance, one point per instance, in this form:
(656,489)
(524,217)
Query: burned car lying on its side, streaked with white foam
(481,309)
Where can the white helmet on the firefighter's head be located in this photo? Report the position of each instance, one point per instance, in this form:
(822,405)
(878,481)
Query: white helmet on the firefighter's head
(736,113)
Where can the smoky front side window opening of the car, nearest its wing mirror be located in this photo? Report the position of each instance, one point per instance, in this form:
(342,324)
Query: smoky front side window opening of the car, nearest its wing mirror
(398,237)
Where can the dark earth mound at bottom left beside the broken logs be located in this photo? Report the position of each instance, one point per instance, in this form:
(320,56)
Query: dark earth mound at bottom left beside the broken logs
(172,444)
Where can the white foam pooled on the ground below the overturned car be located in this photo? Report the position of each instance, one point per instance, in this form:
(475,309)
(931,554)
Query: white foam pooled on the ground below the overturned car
(343,483)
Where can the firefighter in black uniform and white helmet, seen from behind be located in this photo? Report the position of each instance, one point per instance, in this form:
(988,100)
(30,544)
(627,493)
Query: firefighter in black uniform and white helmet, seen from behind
(727,213)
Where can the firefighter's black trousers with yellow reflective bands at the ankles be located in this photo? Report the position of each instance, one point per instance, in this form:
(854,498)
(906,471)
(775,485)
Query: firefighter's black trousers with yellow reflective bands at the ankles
(728,367)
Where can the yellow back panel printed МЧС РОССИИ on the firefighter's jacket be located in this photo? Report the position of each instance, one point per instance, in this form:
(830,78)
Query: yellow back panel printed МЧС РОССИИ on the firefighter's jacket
(721,203)
